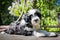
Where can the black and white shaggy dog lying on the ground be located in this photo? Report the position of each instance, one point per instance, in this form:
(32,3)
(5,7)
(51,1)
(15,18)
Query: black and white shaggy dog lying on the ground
(29,25)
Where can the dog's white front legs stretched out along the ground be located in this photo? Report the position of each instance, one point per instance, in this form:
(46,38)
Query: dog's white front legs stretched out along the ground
(43,33)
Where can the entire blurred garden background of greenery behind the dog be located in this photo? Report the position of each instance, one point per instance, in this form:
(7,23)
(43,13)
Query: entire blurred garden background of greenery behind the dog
(50,10)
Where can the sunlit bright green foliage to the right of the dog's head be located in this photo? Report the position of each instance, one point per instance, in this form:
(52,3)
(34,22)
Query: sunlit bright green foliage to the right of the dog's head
(48,11)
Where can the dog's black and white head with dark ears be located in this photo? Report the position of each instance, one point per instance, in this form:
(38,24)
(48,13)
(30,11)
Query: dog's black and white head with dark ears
(33,17)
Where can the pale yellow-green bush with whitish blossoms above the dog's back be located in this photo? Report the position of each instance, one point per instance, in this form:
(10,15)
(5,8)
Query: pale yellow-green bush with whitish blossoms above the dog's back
(17,7)
